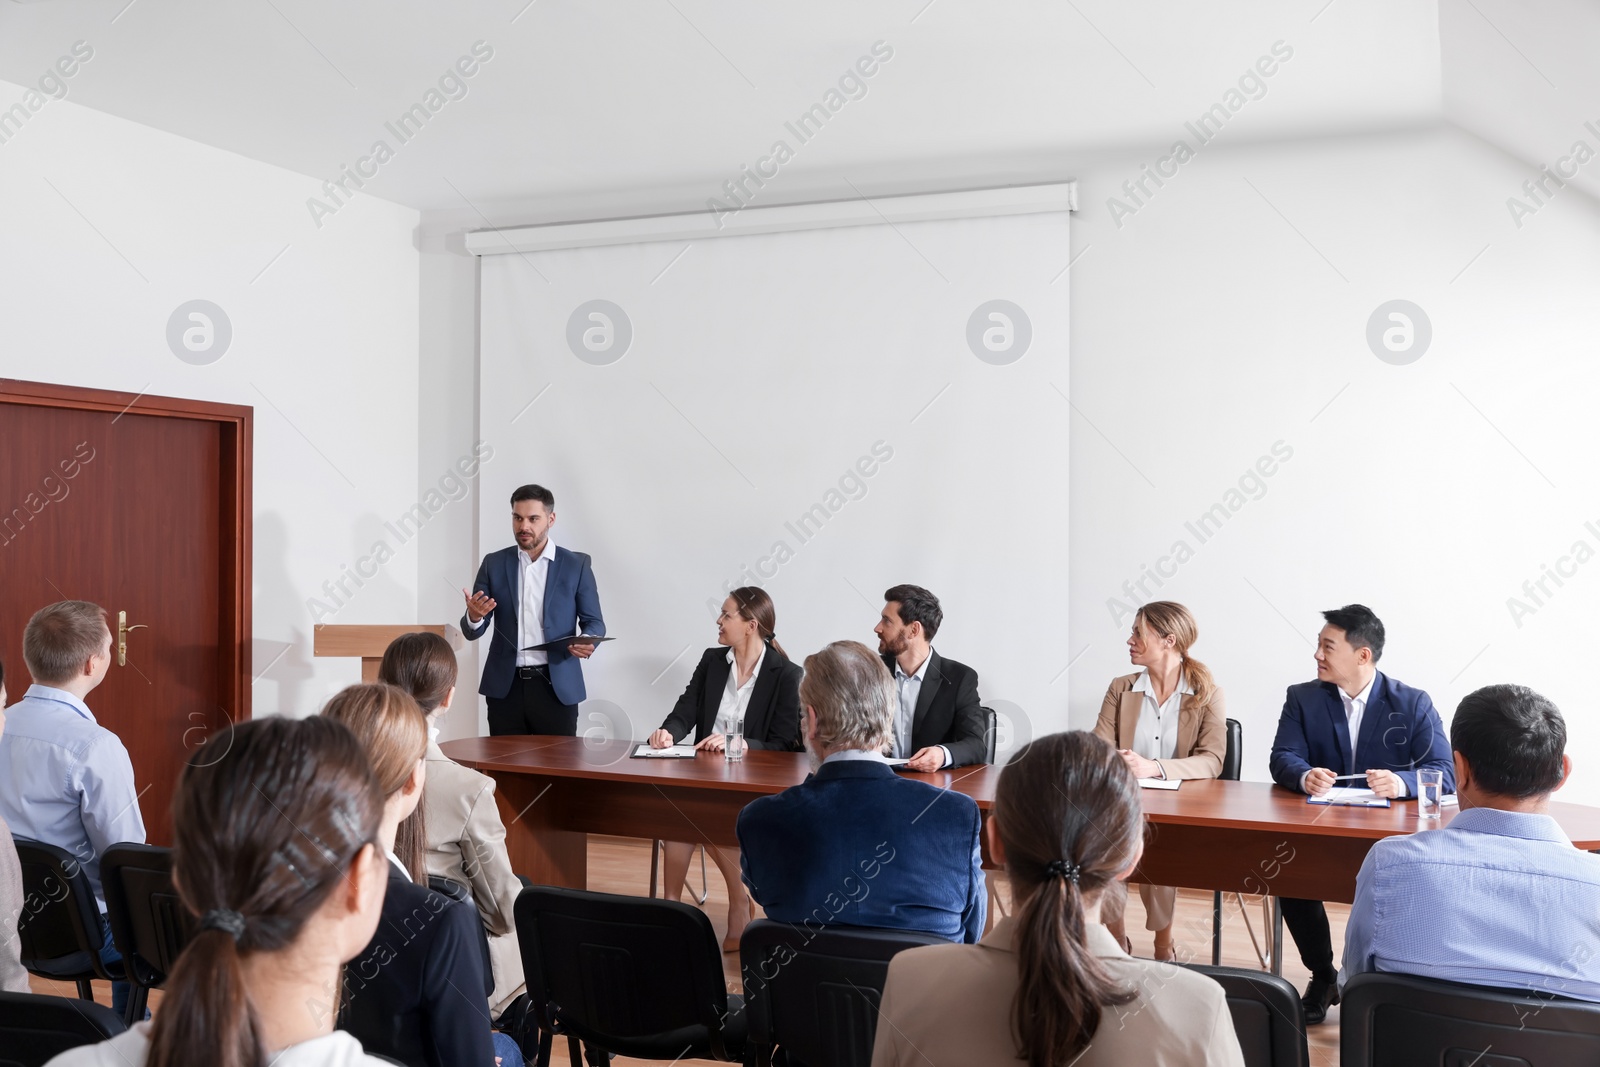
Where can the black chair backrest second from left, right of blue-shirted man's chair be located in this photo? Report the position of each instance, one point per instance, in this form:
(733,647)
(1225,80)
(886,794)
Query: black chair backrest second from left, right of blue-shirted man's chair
(150,925)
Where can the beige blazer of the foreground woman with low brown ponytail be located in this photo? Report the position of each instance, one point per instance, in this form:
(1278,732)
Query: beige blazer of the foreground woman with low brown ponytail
(951,1007)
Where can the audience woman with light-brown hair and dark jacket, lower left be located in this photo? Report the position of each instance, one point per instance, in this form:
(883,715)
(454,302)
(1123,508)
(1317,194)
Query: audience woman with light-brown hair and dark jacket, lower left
(418,993)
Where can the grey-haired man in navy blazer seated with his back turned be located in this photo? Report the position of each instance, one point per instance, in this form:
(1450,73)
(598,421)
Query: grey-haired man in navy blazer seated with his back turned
(855,844)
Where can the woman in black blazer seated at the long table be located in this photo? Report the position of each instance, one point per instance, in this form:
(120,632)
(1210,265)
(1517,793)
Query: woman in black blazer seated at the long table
(745,685)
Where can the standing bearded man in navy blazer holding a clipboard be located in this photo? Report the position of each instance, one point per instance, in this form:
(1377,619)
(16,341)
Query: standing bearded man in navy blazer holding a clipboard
(537,594)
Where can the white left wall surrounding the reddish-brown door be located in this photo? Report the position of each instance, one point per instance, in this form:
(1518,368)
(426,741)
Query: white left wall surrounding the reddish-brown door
(326,345)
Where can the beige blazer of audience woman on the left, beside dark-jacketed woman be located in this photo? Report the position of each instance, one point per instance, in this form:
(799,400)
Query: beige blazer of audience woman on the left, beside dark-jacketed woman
(466,844)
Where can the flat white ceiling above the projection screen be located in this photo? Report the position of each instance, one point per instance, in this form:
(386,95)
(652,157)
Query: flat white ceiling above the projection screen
(586,100)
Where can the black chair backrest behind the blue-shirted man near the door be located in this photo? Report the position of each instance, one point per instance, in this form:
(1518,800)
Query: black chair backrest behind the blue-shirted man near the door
(60,927)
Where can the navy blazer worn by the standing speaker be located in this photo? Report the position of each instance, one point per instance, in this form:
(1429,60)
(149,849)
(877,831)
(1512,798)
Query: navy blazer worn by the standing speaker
(570,602)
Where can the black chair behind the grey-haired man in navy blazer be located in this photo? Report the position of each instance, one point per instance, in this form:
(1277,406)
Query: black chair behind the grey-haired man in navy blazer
(814,996)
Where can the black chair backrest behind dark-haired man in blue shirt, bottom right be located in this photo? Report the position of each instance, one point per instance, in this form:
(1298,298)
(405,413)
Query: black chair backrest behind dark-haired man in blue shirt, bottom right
(1393,1020)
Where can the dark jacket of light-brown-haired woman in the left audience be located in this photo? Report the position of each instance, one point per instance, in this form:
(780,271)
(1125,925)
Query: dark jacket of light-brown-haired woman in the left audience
(417,994)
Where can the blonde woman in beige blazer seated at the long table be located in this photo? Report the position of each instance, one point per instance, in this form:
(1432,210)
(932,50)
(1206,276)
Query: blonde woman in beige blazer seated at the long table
(1167,722)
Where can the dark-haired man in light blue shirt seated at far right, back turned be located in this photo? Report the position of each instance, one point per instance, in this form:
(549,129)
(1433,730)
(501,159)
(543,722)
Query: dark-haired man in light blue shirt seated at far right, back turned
(1498,898)
